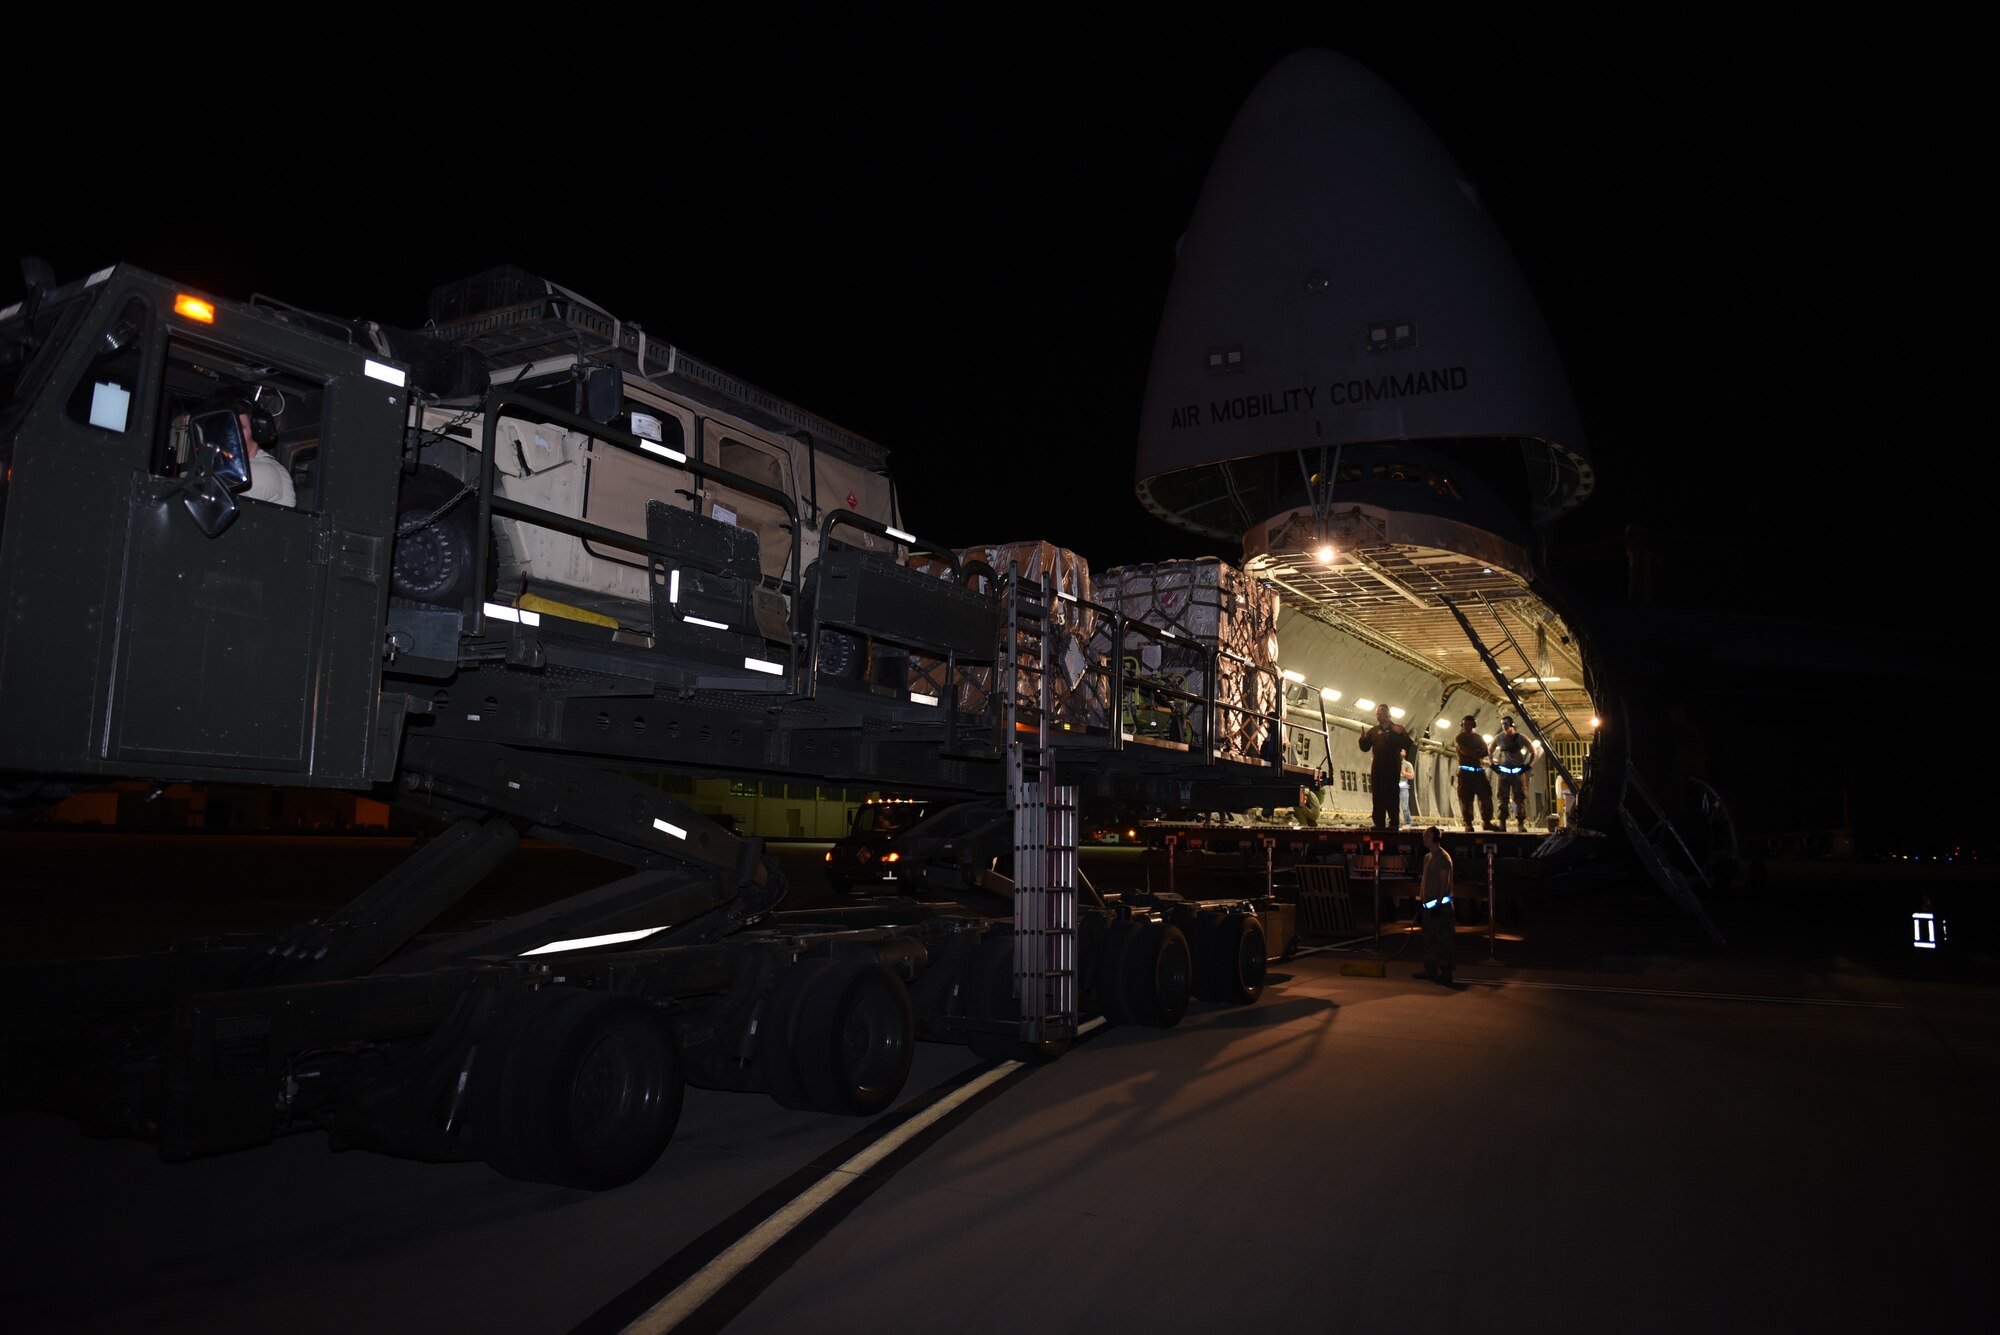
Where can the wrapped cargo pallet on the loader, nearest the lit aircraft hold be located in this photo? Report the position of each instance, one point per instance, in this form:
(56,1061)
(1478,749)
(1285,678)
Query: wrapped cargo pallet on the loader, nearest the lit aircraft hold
(1223,609)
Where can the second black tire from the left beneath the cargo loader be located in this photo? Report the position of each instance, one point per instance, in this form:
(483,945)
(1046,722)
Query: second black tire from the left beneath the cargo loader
(857,1036)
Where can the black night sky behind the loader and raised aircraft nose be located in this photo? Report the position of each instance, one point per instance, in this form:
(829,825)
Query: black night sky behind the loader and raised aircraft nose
(1751,239)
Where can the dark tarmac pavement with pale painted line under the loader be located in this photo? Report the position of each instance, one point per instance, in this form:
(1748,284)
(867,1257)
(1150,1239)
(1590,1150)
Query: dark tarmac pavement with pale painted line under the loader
(1613,1124)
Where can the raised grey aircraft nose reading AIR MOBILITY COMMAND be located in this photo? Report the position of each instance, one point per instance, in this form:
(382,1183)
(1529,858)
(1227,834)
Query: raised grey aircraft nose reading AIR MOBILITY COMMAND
(1341,285)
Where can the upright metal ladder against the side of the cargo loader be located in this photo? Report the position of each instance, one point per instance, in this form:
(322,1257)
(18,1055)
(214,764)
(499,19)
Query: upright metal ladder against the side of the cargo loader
(1045,828)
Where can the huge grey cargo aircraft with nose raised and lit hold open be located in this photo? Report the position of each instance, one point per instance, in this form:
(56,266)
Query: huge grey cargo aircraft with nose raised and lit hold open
(1353,381)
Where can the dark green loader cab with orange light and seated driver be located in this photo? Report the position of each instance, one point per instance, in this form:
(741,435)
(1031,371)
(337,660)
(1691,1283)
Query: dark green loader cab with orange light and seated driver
(141,571)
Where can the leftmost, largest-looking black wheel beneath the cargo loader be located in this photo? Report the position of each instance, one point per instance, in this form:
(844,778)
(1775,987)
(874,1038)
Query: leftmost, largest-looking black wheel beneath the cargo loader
(583,1092)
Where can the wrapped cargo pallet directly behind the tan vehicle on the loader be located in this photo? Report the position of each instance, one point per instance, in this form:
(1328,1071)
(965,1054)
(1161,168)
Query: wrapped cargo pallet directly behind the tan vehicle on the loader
(1079,688)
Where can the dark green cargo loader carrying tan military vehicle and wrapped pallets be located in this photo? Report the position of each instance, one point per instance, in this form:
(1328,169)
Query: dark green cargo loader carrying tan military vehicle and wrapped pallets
(533,565)
